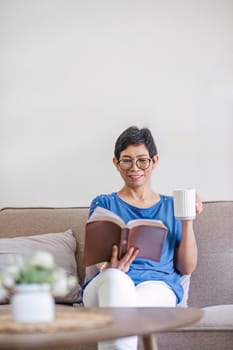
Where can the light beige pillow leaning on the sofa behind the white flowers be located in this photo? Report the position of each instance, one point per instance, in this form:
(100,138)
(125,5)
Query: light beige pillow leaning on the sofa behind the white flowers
(61,245)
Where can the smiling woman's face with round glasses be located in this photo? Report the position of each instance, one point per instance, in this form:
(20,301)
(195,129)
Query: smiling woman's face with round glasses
(135,175)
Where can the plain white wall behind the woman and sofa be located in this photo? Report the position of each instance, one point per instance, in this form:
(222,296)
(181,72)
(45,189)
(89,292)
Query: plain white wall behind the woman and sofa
(74,74)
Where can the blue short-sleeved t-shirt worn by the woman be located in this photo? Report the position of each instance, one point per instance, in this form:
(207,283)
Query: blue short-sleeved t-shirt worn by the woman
(143,269)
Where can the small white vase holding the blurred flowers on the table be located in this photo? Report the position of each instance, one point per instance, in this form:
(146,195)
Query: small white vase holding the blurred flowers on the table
(33,303)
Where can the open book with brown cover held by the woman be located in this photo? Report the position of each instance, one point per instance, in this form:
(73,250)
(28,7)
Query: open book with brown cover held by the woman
(104,229)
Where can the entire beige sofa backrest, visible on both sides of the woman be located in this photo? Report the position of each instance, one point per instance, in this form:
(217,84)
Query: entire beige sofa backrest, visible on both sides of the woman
(212,281)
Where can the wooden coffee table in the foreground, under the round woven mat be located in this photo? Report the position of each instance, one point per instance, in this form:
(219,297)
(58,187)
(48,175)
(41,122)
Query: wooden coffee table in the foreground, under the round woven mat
(144,322)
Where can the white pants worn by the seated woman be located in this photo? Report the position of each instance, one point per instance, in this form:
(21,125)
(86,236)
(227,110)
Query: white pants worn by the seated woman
(114,288)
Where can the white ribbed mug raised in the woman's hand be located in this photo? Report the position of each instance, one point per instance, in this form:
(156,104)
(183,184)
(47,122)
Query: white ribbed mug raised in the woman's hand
(185,204)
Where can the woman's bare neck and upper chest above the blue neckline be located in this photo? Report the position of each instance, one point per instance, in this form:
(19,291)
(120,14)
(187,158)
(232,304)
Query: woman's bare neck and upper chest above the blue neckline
(141,198)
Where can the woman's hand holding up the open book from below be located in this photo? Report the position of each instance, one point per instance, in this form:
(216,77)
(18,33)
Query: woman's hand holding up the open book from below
(124,263)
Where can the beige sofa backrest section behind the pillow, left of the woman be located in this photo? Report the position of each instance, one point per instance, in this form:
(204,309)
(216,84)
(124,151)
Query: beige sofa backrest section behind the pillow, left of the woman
(31,221)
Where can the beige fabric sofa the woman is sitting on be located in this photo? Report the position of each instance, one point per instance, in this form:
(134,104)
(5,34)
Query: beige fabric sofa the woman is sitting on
(211,284)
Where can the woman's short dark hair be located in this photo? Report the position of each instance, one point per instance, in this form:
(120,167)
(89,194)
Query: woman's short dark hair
(135,136)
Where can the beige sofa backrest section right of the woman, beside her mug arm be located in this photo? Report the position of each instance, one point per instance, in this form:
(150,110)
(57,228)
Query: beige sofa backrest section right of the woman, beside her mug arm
(212,281)
